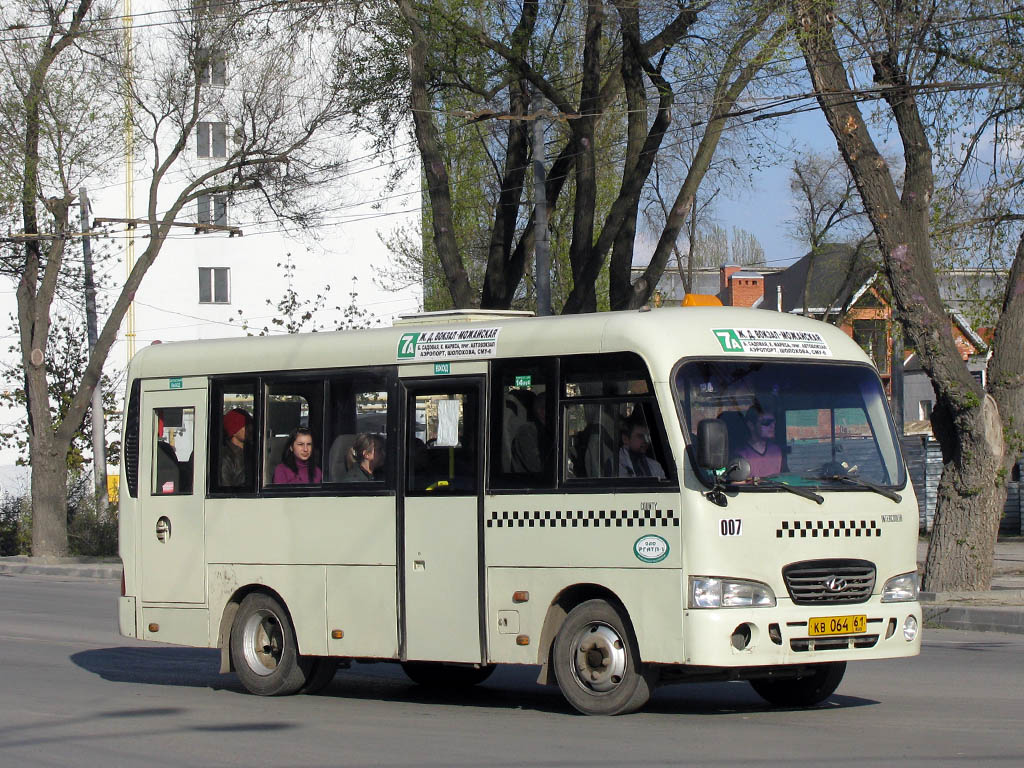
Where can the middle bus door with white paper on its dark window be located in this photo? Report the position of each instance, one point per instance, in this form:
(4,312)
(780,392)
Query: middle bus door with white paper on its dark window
(442,536)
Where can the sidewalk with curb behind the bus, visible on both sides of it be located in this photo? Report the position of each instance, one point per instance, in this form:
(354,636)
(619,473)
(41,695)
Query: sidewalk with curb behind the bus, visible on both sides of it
(1001,610)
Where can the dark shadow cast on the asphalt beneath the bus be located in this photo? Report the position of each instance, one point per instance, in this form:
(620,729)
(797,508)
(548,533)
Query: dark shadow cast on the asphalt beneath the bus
(509,689)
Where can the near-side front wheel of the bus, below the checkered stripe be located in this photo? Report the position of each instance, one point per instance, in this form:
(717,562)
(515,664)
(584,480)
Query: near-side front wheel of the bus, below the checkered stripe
(598,662)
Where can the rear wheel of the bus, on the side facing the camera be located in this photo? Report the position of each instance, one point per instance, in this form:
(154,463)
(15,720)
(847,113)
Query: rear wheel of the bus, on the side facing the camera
(265,653)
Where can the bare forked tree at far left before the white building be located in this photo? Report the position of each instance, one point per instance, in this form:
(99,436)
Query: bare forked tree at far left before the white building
(226,99)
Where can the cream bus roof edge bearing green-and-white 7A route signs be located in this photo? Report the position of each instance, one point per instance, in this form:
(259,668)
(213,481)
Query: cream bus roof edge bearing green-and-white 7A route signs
(662,337)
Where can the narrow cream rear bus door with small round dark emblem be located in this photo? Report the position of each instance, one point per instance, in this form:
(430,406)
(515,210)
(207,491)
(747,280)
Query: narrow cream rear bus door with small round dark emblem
(173,486)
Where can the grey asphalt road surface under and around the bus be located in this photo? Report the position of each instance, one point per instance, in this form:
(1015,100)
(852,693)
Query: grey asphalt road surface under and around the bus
(73,693)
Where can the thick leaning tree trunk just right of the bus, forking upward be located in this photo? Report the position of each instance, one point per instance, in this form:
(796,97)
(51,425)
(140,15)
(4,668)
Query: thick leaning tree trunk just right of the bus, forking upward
(966,421)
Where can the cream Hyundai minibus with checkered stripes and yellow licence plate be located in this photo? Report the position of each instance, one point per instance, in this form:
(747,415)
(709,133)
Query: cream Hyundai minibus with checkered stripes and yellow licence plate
(624,500)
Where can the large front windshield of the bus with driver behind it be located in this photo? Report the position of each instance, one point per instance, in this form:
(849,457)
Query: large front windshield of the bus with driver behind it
(799,423)
